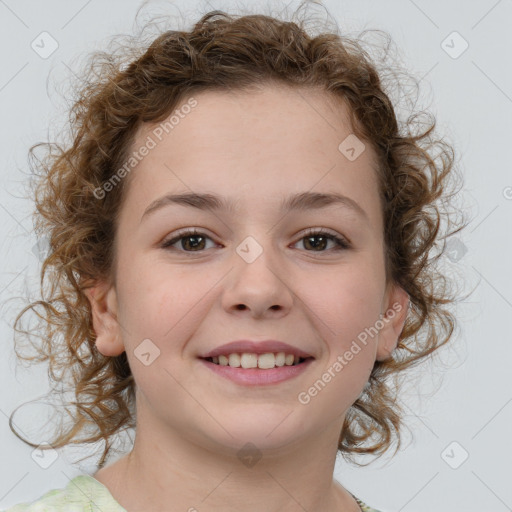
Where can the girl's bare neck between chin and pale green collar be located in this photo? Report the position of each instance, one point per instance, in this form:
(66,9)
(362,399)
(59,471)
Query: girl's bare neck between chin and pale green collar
(167,470)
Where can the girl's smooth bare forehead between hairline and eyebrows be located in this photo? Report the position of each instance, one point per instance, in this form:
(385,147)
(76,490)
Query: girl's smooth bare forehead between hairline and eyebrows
(265,143)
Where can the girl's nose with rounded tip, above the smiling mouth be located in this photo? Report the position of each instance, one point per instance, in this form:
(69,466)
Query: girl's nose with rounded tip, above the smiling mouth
(260,288)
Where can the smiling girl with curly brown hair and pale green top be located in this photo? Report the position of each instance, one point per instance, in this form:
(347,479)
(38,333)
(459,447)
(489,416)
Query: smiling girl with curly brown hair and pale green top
(238,236)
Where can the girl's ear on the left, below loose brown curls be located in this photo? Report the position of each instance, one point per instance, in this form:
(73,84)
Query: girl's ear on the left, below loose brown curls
(103,300)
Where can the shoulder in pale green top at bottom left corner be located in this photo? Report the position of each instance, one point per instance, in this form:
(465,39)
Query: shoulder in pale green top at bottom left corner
(81,493)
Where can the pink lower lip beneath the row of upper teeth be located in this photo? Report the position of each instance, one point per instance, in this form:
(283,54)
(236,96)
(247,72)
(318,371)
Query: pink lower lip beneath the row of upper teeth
(257,376)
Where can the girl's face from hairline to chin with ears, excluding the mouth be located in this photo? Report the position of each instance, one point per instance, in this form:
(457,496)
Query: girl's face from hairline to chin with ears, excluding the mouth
(252,271)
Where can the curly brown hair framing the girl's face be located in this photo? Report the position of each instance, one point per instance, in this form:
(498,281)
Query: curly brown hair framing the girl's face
(119,93)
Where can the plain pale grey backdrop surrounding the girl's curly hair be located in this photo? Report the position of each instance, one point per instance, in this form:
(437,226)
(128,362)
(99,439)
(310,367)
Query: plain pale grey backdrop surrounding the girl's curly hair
(459,411)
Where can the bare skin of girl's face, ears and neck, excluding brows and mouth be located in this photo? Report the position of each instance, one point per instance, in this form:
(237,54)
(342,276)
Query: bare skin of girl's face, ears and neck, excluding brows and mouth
(256,148)
